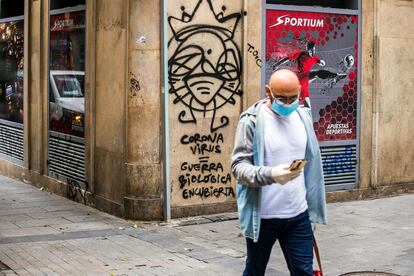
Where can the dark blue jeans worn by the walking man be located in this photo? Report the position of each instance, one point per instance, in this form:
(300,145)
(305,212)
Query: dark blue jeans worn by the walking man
(295,238)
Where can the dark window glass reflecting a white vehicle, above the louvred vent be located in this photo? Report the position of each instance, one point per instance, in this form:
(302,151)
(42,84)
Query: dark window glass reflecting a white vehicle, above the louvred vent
(67,63)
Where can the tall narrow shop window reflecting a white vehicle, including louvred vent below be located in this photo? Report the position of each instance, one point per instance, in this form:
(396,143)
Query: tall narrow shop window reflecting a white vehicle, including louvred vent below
(66,158)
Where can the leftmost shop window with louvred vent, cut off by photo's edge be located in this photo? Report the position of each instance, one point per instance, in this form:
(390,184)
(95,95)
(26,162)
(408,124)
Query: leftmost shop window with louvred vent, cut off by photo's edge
(11,78)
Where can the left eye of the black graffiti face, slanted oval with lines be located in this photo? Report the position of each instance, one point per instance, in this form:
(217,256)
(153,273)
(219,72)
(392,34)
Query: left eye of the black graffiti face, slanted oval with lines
(185,60)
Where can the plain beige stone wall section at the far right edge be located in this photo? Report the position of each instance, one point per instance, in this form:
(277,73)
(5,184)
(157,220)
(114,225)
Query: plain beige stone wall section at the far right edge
(394,87)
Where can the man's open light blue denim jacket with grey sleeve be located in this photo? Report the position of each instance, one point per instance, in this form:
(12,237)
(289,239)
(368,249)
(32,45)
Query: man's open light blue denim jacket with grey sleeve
(247,166)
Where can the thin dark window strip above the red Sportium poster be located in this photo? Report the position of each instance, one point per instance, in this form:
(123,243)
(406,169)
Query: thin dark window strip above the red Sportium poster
(339,4)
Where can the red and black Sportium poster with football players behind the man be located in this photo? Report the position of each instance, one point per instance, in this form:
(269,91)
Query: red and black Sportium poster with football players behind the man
(322,48)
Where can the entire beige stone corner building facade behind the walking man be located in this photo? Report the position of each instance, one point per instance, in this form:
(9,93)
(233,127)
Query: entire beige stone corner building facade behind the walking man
(131,106)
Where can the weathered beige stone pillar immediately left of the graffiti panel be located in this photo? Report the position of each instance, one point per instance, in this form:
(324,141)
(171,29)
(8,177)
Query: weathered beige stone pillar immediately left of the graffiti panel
(143,199)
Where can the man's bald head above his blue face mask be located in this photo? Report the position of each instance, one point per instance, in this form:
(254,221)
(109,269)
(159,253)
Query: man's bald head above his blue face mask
(283,83)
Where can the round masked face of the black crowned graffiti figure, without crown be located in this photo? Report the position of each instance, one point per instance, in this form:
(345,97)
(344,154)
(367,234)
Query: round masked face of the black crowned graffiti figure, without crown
(203,67)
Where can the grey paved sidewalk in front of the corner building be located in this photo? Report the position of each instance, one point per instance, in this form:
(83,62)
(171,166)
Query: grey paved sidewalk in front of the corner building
(44,234)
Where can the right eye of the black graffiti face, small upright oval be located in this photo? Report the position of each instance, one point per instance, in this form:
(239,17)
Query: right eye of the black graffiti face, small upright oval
(228,65)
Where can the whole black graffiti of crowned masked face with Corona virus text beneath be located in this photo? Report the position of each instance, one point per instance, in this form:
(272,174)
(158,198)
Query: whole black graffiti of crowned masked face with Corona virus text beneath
(204,75)
